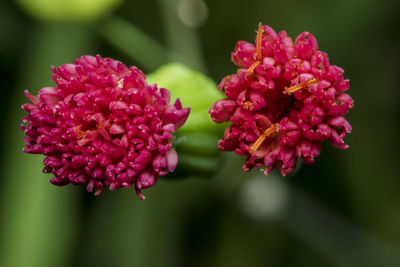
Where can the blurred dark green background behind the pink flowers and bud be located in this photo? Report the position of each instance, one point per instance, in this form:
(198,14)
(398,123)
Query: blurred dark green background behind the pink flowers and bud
(342,211)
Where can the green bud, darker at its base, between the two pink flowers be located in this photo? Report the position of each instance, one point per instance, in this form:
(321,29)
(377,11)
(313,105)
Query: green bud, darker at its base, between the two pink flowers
(197,141)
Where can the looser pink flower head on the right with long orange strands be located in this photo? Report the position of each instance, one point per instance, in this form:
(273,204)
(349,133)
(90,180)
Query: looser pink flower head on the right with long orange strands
(283,102)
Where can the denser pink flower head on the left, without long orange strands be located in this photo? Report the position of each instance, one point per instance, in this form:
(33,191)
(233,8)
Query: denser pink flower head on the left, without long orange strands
(103,125)
